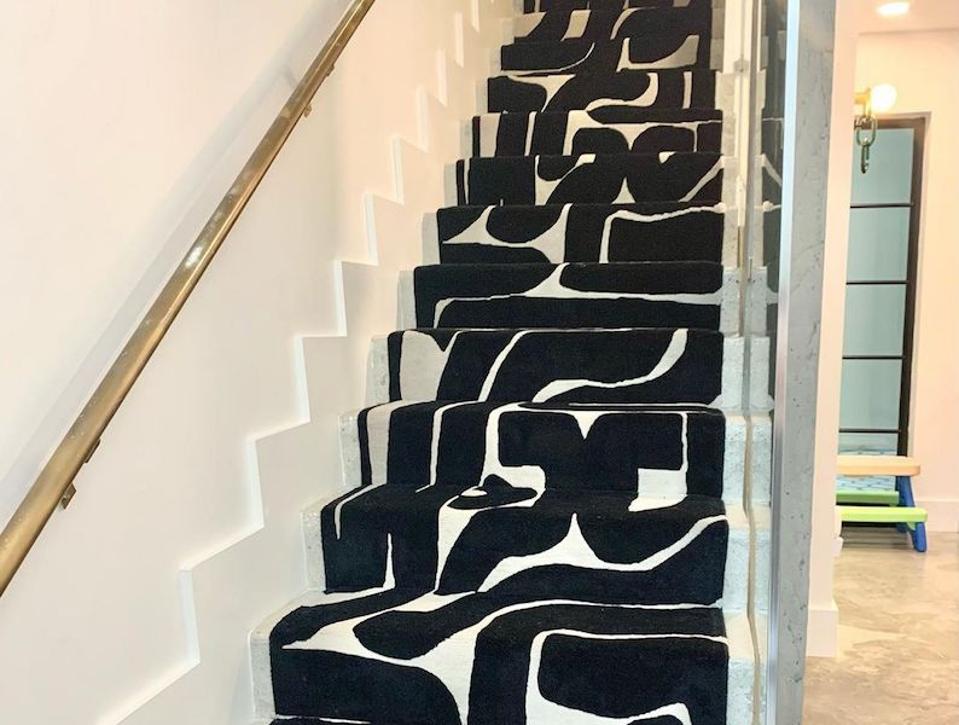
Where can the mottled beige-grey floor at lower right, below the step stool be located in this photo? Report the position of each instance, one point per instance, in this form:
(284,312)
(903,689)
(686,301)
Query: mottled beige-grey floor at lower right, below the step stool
(898,634)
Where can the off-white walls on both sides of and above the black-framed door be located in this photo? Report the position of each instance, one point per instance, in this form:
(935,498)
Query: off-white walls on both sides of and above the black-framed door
(920,65)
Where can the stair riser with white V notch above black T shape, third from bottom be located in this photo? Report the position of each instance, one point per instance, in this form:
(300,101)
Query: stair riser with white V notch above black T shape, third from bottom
(693,453)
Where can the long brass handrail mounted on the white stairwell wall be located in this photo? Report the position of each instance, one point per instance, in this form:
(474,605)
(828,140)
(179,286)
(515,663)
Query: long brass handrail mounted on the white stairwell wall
(54,485)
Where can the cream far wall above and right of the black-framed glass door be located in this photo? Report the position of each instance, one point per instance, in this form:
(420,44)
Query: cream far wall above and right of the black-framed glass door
(922,67)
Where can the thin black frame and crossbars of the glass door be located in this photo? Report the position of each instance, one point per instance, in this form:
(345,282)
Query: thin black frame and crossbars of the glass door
(918,125)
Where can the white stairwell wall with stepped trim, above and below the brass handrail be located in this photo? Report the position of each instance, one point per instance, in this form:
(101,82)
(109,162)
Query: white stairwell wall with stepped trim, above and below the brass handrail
(123,123)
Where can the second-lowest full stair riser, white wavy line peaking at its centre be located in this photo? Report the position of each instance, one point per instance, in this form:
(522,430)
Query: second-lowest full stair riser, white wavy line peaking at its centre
(390,534)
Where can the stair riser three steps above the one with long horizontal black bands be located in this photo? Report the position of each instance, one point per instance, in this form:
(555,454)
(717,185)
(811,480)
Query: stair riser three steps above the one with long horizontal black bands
(579,132)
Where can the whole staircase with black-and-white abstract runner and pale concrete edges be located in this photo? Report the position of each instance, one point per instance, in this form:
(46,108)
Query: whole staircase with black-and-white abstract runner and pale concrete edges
(545,523)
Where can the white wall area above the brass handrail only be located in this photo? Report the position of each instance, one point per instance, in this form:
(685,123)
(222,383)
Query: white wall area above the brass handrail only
(114,117)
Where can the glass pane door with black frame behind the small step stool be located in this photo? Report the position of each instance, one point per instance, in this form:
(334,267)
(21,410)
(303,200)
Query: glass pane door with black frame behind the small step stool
(880,292)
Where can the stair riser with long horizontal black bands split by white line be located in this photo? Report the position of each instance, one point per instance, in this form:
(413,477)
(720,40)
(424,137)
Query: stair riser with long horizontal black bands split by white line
(458,298)
